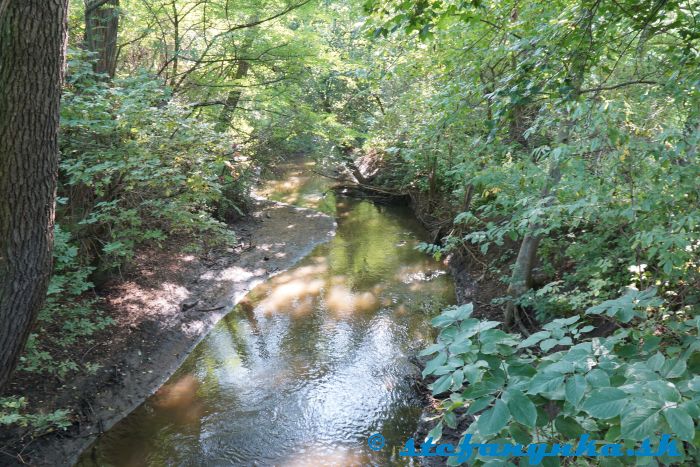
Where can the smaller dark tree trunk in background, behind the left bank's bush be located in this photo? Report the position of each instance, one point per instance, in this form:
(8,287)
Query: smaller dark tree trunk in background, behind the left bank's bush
(101,27)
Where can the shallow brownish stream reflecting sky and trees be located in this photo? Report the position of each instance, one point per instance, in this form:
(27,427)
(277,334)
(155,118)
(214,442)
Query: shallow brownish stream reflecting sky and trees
(310,363)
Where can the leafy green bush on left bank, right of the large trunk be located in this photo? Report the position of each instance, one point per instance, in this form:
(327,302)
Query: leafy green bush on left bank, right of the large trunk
(136,167)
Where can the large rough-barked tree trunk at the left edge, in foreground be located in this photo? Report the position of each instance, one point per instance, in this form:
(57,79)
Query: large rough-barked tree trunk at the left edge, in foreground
(32,53)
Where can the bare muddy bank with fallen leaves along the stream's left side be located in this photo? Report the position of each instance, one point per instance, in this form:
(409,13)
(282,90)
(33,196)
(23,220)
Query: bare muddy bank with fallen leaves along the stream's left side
(163,309)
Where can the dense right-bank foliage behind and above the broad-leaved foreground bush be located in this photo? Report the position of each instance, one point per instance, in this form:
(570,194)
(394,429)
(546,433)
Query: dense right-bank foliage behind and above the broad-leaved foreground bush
(575,122)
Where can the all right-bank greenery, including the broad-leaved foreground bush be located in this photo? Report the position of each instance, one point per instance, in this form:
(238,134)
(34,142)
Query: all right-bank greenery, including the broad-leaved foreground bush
(562,139)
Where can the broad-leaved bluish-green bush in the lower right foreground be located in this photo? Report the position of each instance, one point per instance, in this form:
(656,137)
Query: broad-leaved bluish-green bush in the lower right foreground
(559,383)
